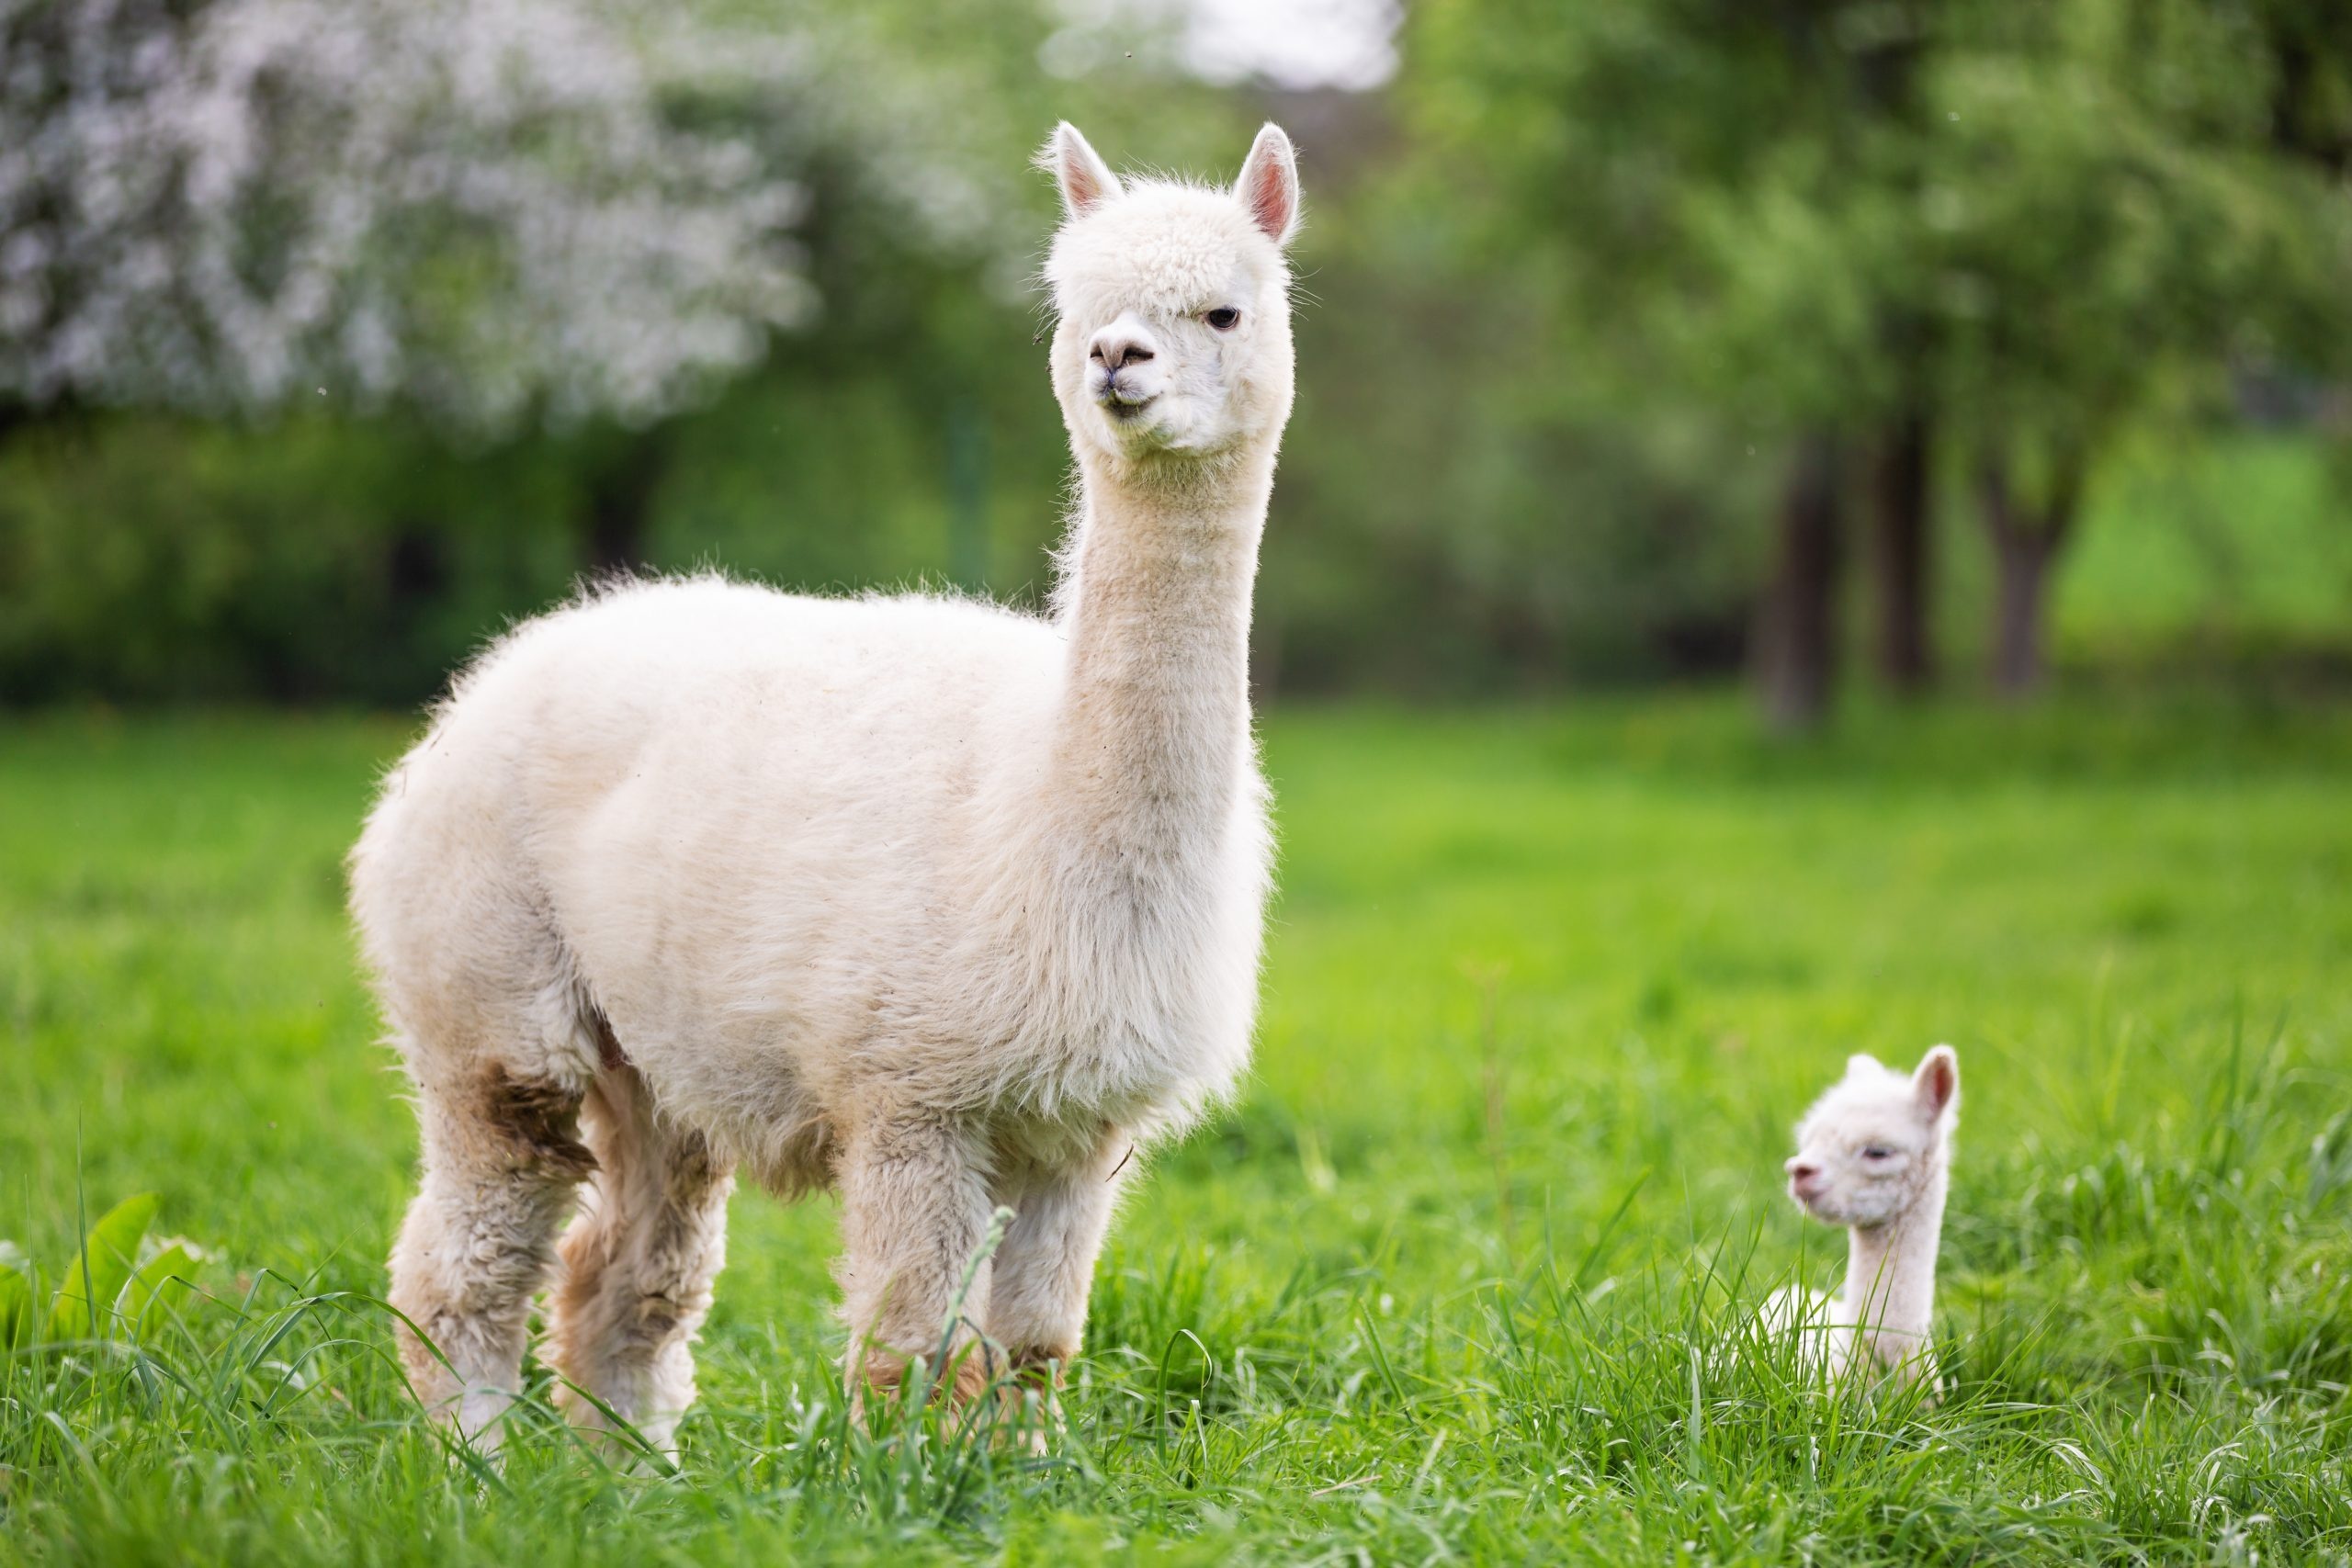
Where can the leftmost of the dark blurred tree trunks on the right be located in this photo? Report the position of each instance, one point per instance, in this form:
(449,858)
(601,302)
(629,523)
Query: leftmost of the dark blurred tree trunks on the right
(1796,650)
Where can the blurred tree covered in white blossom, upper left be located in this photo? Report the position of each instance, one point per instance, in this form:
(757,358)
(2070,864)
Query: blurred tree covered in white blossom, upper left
(488,213)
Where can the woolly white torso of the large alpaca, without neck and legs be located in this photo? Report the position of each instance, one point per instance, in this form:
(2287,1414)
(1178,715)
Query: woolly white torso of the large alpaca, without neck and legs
(789,843)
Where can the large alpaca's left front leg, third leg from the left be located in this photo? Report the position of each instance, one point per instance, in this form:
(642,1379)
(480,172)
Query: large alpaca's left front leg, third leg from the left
(914,1219)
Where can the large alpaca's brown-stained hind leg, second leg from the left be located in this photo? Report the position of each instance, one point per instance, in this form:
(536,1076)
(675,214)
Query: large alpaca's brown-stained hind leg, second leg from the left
(639,1266)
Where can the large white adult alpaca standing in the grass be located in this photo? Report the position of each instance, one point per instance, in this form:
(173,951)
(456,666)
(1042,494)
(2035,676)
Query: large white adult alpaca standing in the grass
(933,902)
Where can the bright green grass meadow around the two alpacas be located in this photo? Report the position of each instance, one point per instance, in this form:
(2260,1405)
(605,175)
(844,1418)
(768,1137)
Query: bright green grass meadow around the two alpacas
(1358,1318)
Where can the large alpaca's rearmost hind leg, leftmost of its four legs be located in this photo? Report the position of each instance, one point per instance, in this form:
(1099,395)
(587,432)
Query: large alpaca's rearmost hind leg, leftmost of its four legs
(500,1172)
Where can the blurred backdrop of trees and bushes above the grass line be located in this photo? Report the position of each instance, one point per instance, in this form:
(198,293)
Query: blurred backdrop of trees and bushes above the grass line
(1836,347)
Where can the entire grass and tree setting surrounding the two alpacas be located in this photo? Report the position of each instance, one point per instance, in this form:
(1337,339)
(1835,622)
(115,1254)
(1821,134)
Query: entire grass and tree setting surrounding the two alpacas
(1810,528)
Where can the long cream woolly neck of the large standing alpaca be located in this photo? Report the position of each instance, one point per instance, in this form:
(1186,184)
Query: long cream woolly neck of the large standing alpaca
(1156,615)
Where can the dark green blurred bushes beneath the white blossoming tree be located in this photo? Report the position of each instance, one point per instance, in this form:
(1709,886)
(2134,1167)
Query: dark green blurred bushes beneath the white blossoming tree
(166,561)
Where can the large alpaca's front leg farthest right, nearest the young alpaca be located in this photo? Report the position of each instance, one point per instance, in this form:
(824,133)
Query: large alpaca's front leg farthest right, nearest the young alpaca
(1045,1268)
